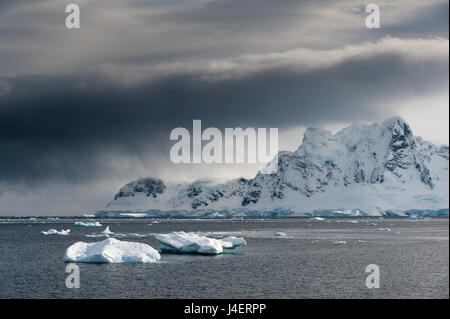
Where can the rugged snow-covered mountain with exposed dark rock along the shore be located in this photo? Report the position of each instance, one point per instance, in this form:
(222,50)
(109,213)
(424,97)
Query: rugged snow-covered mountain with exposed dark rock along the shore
(363,169)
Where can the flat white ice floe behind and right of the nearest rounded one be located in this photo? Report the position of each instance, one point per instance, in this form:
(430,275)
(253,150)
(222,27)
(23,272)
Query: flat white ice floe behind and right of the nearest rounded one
(190,243)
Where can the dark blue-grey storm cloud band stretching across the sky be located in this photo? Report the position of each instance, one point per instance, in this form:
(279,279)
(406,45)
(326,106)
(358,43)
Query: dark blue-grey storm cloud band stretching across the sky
(70,127)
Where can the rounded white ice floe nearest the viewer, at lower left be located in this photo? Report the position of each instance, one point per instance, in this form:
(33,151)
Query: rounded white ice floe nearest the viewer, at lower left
(111,250)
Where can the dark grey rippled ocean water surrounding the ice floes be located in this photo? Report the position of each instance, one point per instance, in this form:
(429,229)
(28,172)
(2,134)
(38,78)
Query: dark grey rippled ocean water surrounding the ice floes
(307,263)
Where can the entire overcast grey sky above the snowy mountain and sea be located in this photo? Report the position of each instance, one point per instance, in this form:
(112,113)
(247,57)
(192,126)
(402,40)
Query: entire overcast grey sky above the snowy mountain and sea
(84,111)
